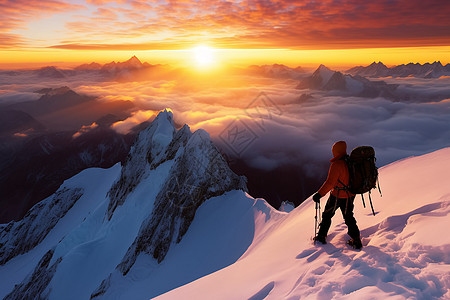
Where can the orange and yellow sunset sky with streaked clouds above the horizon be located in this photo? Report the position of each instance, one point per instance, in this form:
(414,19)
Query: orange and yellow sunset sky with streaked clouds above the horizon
(292,32)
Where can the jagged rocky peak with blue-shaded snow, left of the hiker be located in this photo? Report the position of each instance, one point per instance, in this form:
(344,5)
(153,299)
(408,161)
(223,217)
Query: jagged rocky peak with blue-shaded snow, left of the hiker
(100,223)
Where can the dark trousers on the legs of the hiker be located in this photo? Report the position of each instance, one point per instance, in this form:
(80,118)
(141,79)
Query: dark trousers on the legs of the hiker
(346,206)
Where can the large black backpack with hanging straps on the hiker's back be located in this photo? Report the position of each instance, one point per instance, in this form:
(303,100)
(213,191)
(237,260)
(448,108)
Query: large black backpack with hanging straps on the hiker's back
(363,173)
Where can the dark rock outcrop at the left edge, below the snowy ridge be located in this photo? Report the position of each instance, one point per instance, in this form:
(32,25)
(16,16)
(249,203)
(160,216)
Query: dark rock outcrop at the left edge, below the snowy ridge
(19,237)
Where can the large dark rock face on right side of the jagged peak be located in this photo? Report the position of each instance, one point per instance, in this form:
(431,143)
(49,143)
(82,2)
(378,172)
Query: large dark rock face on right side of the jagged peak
(199,173)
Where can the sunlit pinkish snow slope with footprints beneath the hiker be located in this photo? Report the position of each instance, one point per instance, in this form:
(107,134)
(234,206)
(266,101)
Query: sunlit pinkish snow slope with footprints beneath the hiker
(406,252)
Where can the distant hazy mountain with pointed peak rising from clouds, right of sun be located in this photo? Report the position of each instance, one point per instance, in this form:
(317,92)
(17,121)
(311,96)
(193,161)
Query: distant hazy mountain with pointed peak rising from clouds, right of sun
(328,80)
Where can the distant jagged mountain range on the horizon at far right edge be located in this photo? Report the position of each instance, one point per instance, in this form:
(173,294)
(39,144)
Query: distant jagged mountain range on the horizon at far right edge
(427,70)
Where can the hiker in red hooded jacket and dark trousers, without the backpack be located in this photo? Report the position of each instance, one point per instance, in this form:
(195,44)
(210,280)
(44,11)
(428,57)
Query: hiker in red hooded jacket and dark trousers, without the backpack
(338,178)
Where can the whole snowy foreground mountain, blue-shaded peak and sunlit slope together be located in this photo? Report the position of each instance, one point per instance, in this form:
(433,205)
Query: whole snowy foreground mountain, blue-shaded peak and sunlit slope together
(174,222)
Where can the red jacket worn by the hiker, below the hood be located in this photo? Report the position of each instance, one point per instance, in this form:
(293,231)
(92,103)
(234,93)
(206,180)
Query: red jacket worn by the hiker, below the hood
(338,172)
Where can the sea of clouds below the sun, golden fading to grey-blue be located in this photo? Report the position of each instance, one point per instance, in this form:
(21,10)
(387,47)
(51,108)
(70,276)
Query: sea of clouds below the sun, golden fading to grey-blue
(264,122)
